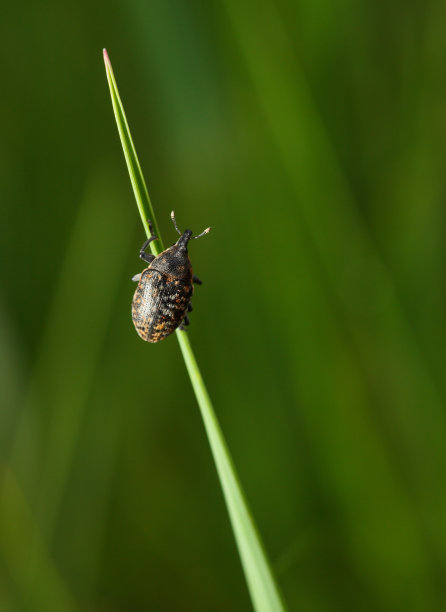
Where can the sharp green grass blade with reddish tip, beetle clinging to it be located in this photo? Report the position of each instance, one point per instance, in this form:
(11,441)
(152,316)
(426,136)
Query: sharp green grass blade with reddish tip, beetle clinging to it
(262,587)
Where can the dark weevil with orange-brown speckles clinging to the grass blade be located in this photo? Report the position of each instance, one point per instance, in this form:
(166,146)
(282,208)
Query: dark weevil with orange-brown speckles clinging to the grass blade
(162,299)
